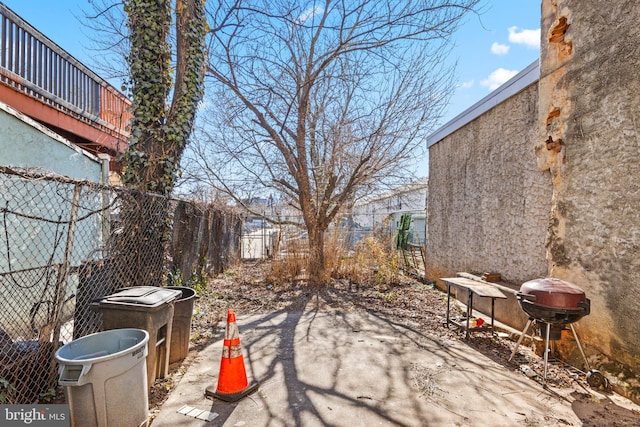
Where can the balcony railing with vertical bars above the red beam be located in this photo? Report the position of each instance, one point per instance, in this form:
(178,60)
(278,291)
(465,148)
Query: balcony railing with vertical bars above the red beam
(35,66)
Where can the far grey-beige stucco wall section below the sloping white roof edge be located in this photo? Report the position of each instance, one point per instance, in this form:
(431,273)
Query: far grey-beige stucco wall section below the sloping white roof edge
(488,204)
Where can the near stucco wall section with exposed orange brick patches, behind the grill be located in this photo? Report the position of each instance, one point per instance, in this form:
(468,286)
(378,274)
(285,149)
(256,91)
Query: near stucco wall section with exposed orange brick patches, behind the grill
(590,101)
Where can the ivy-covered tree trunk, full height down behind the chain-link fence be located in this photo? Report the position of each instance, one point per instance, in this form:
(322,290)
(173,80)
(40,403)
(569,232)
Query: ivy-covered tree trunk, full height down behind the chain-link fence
(159,129)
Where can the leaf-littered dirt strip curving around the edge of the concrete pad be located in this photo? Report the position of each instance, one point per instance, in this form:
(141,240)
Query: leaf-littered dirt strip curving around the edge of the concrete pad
(410,303)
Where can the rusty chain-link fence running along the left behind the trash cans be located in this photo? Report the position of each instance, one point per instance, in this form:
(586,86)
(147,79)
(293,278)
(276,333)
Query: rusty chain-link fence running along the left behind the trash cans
(65,243)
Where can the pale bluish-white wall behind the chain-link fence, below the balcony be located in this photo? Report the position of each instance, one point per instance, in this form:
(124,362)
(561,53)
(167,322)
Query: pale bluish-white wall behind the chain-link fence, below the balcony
(32,238)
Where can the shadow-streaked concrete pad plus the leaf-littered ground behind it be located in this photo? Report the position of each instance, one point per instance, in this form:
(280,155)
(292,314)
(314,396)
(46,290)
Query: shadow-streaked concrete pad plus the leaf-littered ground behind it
(342,356)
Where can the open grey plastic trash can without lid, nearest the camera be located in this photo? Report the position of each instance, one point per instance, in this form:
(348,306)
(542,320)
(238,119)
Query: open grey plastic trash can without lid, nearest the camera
(105,378)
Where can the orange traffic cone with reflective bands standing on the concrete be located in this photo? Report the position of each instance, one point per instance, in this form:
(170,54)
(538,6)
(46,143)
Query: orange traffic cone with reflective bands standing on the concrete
(232,381)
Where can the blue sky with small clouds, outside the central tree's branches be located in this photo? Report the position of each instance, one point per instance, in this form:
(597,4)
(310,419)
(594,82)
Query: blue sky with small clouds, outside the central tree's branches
(489,48)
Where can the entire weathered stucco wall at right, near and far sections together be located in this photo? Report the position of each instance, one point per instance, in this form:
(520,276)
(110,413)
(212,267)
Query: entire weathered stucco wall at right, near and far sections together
(547,182)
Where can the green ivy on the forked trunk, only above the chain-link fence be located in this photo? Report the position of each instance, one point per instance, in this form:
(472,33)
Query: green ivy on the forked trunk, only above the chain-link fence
(161,128)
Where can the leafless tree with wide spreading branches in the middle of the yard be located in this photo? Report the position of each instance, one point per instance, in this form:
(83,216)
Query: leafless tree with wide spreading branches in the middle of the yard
(323,101)
